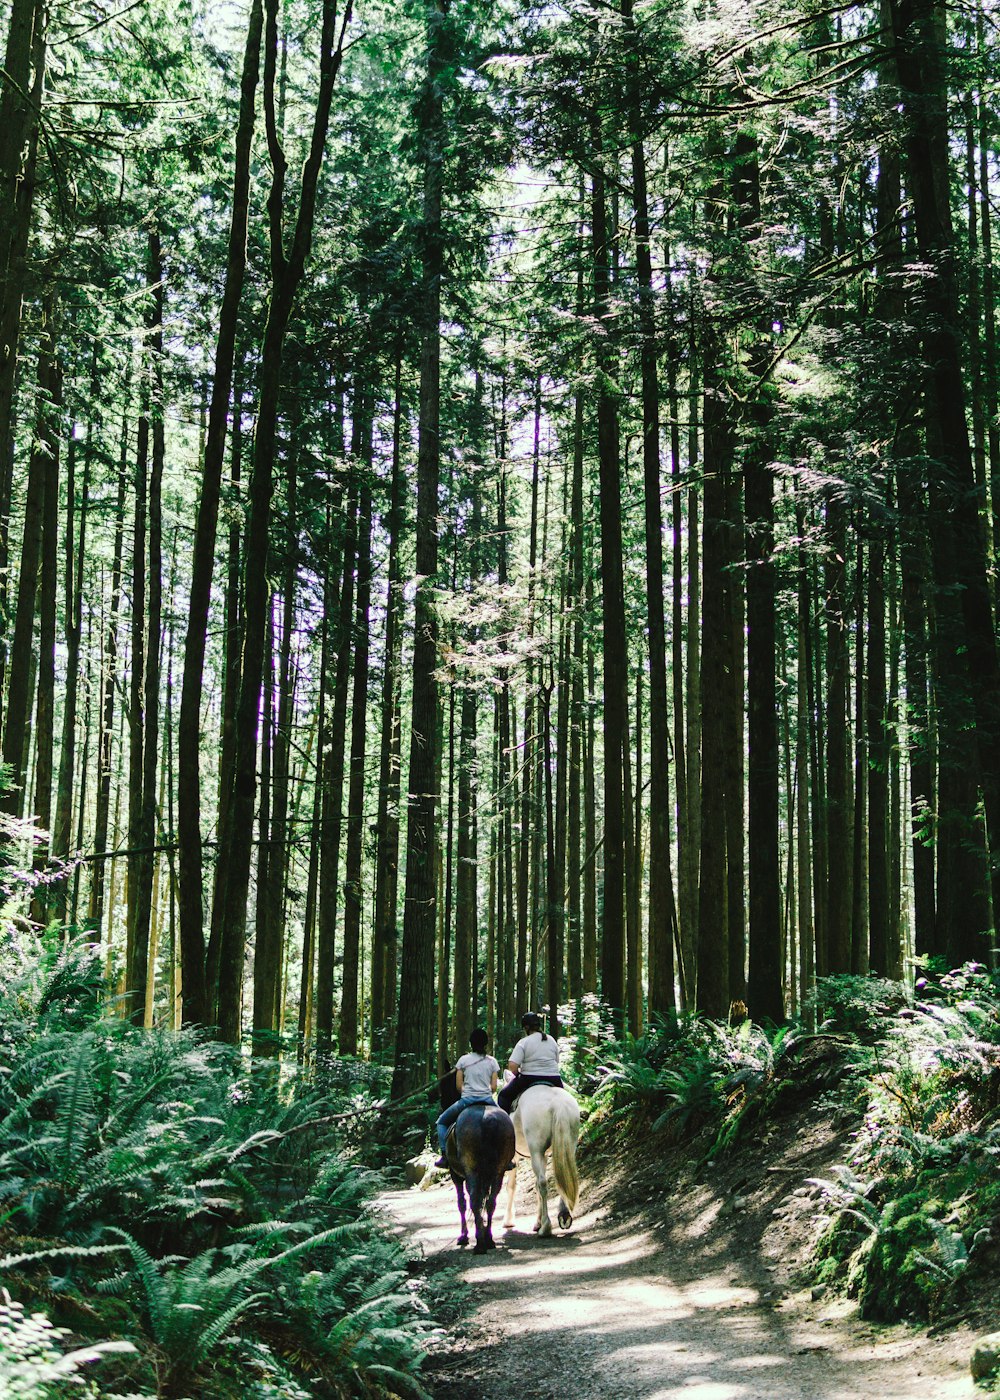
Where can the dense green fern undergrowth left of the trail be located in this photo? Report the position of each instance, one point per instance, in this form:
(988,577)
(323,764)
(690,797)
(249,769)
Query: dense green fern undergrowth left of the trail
(197,1213)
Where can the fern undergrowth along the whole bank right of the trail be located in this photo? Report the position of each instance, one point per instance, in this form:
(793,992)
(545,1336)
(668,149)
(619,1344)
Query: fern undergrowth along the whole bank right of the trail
(914,1217)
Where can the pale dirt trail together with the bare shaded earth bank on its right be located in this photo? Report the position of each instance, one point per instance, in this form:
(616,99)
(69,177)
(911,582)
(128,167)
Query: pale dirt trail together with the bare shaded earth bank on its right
(674,1282)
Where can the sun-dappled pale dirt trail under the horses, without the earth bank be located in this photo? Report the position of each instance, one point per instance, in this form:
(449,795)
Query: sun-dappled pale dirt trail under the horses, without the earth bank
(611,1312)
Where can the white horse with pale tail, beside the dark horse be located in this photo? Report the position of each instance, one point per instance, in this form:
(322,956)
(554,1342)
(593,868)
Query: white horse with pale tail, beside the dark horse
(548,1118)
